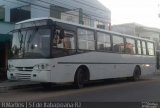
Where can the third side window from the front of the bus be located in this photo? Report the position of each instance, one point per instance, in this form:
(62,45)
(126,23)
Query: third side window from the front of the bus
(103,42)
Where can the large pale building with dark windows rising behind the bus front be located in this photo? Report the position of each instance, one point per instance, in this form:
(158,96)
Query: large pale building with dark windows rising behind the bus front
(87,12)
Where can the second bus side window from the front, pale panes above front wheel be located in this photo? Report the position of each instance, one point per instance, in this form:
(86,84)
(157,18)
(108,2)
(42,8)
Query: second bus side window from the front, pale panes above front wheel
(86,40)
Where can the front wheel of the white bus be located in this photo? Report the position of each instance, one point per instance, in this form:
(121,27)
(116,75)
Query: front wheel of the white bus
(80,78)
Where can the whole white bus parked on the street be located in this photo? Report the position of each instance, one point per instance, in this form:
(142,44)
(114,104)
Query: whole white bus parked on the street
(49,50)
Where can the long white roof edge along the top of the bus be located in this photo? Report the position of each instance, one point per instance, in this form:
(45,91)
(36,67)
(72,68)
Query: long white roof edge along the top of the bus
(83,26)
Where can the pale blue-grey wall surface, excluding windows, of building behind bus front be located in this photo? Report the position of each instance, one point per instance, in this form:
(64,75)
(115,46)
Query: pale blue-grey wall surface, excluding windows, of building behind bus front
(94,9)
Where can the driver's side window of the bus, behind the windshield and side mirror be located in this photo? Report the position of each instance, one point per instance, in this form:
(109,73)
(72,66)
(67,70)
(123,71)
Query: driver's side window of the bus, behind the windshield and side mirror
(63,44)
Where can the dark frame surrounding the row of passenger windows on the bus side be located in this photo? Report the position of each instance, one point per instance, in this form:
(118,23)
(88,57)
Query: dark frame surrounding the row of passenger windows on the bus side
(111,35)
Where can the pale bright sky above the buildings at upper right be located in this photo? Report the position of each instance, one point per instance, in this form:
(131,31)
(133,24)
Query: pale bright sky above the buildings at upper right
(144,12)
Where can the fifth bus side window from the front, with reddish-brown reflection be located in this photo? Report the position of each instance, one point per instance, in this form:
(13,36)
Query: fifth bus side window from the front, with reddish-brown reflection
(130,46)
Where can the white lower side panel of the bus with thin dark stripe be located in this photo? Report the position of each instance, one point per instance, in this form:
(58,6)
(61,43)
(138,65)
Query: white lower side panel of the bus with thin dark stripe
(101,66)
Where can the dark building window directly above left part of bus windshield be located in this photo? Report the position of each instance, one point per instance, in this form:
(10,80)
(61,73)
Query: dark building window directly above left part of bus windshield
(20,14)
